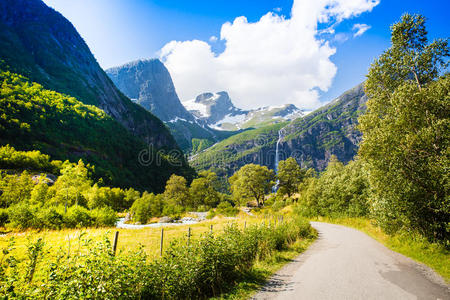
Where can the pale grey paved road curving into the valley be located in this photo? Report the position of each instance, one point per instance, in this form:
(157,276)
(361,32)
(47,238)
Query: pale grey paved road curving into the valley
(345,263)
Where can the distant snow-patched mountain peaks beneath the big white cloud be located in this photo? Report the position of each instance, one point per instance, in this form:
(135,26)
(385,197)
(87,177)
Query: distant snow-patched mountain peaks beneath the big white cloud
(217,110)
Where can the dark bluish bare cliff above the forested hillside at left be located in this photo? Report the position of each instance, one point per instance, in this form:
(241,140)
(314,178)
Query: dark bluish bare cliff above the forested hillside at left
(39,43)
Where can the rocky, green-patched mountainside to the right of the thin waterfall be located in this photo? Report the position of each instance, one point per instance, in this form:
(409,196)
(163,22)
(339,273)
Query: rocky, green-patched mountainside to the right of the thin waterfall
(330,130)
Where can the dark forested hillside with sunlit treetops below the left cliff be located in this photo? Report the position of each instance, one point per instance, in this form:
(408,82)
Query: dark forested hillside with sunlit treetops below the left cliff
(33,118)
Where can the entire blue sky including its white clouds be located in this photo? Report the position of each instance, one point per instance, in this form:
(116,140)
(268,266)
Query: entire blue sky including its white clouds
(263,52)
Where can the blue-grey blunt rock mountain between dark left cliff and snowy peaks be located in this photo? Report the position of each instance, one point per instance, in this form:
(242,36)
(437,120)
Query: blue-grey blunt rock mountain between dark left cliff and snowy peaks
(148,83)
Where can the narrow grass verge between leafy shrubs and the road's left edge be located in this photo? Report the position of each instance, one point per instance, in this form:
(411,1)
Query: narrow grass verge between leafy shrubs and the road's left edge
(264,269)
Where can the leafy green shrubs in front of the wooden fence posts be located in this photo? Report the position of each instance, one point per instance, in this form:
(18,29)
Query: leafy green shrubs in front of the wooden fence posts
(203,268)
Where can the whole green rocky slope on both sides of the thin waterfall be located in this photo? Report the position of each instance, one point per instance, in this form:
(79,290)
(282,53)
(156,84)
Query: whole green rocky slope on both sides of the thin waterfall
(312,140)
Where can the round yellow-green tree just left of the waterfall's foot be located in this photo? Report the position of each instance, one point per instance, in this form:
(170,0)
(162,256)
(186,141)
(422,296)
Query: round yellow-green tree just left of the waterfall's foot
(252,182)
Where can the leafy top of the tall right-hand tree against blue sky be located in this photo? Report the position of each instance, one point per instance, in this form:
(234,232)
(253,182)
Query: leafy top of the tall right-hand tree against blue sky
(410,58)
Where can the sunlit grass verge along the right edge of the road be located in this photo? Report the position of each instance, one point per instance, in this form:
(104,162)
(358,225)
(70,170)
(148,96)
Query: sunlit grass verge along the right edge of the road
(411,245)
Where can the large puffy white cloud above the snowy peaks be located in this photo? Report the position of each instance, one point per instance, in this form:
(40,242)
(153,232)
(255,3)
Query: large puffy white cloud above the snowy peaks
(273,61)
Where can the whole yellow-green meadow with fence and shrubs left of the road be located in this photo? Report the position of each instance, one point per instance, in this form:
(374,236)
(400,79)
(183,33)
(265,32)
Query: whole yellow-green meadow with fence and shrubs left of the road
(231,263)
